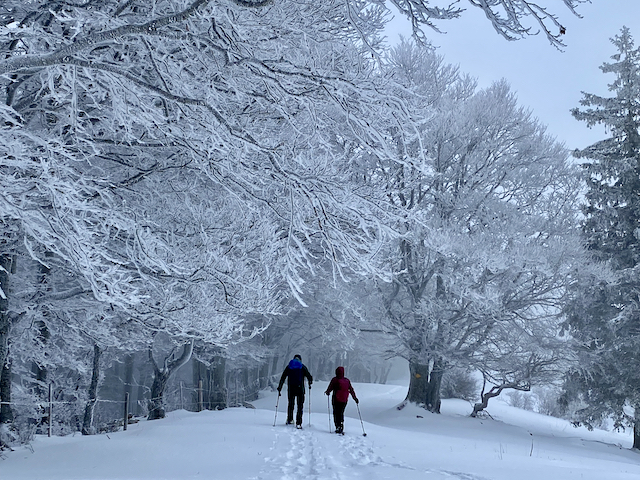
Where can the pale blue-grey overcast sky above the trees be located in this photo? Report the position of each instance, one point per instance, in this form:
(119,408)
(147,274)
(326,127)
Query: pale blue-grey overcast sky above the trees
(546,80)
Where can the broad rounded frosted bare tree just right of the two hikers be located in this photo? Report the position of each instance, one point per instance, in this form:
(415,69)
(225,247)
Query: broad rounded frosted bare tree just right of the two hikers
(487,240)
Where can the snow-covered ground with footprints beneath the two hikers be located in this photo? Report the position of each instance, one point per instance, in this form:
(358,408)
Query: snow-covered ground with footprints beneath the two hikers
(407,444)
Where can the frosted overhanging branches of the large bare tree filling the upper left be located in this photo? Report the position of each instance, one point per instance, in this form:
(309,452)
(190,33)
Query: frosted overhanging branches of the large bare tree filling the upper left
(132,135)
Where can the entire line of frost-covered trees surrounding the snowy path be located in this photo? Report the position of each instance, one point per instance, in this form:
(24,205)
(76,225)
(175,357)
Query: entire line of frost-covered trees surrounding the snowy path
(215,181)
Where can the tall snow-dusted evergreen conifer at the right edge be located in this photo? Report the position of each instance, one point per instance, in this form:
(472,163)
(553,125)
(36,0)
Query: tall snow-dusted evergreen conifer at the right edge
(606,315)
